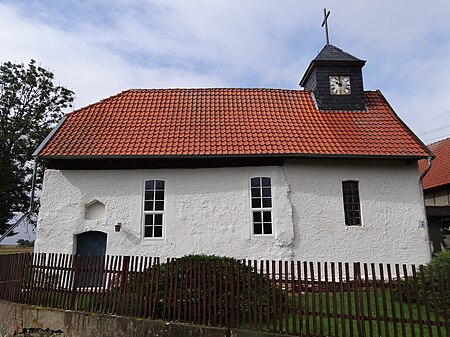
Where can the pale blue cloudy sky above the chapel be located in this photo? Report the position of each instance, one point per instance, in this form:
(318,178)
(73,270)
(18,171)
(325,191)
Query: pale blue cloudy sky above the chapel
(99,48)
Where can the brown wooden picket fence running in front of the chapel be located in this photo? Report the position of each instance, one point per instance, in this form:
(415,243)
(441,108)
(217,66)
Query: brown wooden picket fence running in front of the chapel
(293,297)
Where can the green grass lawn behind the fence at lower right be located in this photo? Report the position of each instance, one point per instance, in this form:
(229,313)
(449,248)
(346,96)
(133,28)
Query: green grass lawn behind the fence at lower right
(349,327)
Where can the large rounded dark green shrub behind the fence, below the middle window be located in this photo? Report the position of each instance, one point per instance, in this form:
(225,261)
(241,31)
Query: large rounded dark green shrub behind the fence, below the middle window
(220,276)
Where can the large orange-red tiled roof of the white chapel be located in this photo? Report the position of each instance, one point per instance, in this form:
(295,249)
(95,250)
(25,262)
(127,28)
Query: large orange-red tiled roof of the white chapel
(213,122)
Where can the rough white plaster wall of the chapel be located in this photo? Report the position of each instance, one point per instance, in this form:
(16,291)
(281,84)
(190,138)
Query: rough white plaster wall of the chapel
(208,211)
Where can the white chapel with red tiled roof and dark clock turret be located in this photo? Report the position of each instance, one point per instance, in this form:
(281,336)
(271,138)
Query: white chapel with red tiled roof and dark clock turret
(328,173)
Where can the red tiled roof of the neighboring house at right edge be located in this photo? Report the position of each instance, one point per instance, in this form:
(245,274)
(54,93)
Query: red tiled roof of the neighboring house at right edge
(439,173)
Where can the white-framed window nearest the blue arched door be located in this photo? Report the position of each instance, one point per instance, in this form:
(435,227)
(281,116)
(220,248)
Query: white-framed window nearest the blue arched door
(154,208)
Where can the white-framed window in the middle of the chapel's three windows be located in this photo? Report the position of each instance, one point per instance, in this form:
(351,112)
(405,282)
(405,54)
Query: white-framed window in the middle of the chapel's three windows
(261,203)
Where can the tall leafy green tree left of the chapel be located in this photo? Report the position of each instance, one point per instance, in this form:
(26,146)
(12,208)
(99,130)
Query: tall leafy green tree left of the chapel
(30,105)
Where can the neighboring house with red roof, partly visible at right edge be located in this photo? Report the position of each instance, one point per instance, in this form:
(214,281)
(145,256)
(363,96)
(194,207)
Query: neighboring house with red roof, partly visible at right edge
(436,186)
